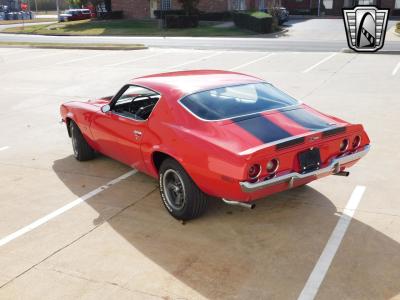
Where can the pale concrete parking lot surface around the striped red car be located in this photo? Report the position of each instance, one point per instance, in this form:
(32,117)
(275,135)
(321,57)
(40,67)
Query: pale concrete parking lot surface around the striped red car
(60,240)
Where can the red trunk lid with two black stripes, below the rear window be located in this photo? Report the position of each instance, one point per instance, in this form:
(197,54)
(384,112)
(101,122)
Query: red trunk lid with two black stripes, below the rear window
(282,129)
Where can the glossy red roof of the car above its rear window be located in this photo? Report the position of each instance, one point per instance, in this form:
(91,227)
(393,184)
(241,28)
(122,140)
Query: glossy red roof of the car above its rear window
(188,82)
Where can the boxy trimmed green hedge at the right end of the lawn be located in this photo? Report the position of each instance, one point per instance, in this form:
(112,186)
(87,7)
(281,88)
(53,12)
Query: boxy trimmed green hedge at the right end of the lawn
(257,21)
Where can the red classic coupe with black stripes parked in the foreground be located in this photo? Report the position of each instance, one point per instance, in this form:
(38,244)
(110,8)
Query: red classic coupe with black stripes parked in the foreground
(213,133)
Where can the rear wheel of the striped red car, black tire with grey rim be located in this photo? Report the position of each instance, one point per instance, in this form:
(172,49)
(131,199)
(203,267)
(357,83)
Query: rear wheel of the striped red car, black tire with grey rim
(182,198)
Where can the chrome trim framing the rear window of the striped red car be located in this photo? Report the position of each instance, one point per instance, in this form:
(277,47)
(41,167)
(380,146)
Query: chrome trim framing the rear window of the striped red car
(240,116)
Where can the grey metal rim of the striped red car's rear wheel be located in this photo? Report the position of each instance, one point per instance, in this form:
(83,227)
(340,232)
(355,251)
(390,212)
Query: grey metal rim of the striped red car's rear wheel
(174,189)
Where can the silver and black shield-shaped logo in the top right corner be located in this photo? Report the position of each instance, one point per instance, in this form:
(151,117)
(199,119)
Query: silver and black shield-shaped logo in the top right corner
(365,27)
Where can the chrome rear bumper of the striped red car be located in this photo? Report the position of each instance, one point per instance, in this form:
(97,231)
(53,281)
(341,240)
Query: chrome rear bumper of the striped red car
(333,168)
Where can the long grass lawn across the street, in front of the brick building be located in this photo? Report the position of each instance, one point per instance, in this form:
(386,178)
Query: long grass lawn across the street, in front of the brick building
(125,27)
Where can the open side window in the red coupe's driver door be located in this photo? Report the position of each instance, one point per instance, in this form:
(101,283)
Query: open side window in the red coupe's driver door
(136,102)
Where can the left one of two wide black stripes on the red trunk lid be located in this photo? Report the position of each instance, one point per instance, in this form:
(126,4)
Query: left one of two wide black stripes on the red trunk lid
(262,128)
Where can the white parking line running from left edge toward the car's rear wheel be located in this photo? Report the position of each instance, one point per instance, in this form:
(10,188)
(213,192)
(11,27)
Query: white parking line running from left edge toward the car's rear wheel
(62,210)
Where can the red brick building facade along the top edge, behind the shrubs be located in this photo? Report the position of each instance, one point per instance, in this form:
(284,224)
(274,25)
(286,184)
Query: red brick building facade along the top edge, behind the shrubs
(145,8)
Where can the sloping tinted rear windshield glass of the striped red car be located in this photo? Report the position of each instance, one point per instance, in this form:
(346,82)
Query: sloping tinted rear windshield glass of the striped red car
(235,101)
